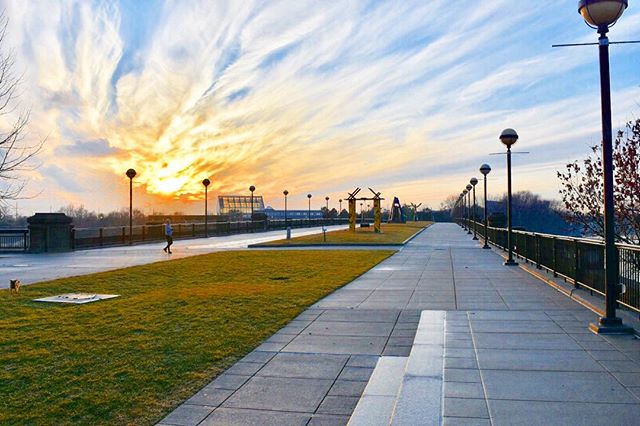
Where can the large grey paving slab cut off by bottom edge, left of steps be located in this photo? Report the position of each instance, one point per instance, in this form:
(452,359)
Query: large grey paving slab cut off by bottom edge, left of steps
(244,417)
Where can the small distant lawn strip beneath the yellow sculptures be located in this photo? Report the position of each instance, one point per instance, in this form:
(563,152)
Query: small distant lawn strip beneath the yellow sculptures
(392,233)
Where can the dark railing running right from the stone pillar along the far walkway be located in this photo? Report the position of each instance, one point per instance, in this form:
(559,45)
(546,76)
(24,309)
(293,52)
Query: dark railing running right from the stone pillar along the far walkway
(119,235)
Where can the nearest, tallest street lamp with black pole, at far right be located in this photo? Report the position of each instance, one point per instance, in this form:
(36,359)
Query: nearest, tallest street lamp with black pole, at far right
(601,15)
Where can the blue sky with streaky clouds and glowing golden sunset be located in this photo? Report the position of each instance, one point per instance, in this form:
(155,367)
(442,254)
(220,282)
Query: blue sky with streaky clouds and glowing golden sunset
(406,97)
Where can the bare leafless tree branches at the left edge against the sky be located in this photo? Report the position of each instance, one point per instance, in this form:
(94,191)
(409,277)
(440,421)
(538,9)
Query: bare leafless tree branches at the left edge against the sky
(16,154)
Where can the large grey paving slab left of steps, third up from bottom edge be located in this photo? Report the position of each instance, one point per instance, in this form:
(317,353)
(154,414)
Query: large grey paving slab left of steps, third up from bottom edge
(314,366)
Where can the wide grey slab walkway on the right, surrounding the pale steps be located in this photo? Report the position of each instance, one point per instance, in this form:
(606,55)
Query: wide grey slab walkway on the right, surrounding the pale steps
(517,352)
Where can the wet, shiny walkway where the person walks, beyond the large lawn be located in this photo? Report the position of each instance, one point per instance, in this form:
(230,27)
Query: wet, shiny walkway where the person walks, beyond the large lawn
(31,268)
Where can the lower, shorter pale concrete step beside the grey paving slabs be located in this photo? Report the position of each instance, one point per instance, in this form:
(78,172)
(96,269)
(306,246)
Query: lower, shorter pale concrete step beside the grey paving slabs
(379,397)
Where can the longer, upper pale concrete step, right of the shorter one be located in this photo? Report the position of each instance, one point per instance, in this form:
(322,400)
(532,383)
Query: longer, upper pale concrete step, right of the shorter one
(419,400)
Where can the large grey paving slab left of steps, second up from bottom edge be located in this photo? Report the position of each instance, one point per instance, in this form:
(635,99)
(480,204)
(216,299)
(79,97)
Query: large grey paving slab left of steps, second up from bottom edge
(280,394)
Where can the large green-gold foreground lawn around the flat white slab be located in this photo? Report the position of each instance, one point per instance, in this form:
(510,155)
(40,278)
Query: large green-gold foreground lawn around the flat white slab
(177,325)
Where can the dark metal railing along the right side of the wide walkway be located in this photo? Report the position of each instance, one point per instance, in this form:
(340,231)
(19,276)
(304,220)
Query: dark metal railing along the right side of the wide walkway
(579,260)
